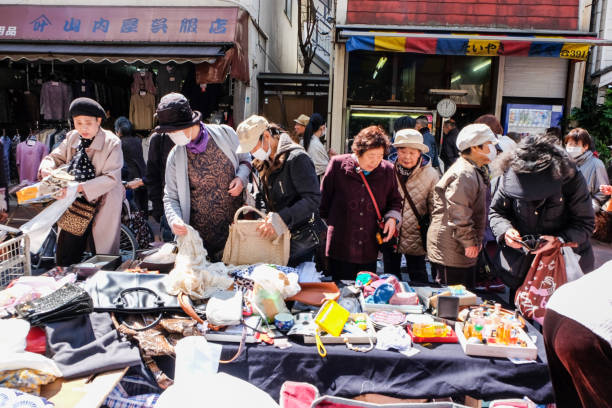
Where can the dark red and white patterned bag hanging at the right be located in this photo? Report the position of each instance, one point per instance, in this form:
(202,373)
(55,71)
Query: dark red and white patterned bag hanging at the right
(547,273)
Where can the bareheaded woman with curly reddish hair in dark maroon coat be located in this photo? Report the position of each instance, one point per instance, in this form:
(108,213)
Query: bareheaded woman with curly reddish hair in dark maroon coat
(347,205)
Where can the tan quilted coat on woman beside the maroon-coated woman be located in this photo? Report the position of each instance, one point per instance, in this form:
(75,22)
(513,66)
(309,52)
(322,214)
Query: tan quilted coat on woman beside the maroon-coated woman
(420,185)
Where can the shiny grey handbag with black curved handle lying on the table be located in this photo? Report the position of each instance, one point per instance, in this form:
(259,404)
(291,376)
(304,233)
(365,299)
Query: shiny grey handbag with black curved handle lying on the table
(132,293)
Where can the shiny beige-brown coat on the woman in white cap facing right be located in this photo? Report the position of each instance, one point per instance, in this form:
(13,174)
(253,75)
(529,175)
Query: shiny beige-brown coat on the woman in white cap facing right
(458,220)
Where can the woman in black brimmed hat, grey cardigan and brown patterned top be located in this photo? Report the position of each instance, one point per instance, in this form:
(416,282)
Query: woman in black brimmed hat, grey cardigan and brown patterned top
(204,174)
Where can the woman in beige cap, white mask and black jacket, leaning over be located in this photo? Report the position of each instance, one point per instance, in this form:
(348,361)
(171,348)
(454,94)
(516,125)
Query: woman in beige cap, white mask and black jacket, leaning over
(286,178)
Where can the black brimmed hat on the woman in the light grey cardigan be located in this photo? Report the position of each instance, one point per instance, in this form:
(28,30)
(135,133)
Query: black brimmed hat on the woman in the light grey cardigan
(174,113)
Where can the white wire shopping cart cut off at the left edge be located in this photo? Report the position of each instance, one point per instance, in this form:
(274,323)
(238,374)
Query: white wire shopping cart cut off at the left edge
(14,255)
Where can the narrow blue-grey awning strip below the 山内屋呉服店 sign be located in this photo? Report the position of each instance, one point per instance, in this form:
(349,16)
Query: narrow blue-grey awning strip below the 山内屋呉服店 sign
(110,53)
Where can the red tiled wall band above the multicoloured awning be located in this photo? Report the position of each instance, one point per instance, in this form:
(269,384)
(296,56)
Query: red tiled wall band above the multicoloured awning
(518,14)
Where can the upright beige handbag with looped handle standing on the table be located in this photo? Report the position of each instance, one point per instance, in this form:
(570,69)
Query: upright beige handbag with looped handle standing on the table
(245,246)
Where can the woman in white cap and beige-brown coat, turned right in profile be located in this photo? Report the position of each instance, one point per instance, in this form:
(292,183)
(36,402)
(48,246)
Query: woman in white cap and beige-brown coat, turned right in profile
(458,220)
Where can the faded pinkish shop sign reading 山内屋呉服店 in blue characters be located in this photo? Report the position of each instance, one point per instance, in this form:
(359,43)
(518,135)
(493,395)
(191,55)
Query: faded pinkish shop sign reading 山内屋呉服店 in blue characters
(118,24)
